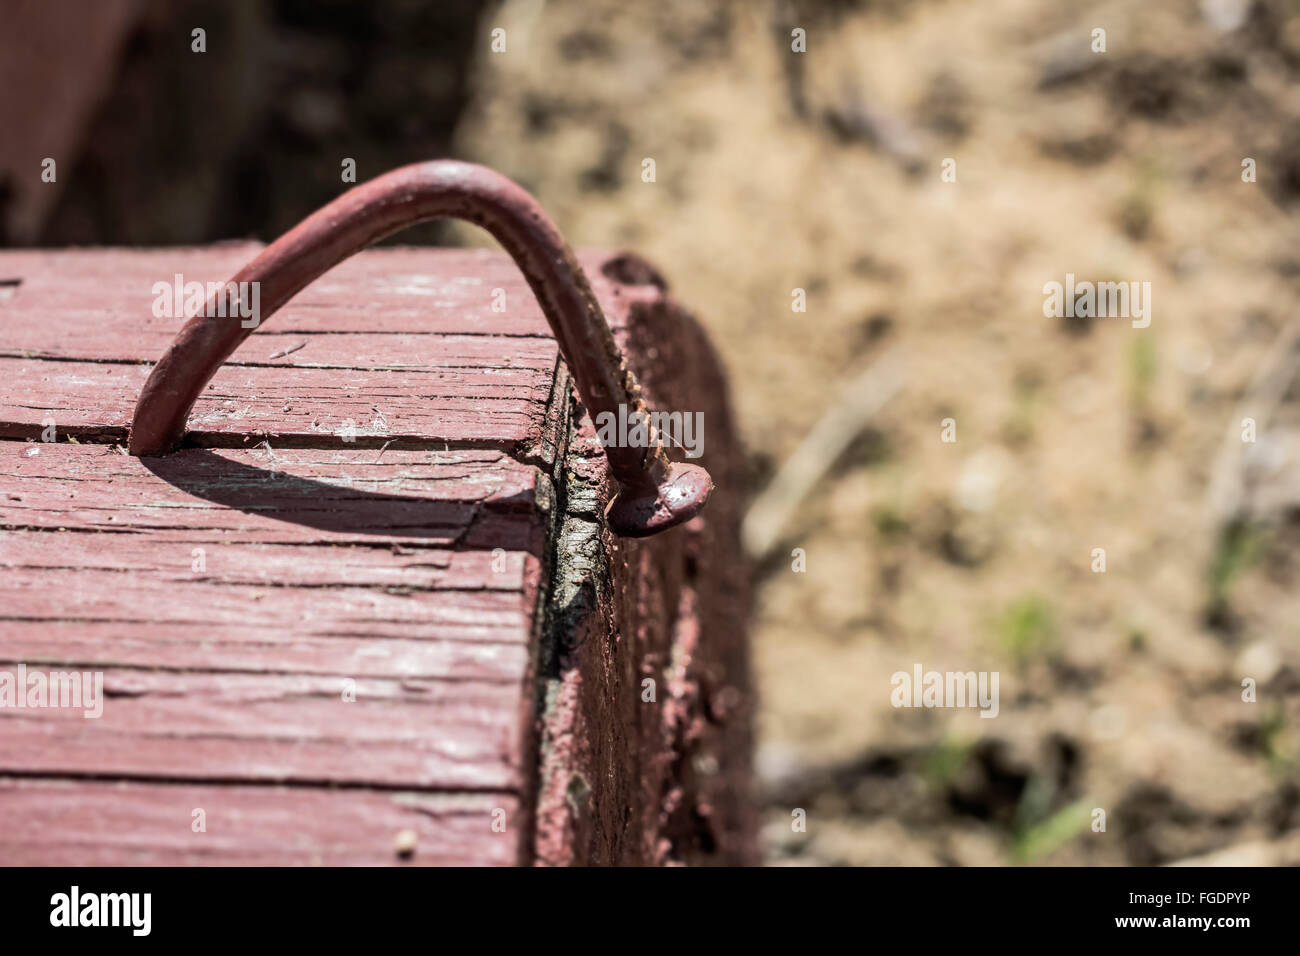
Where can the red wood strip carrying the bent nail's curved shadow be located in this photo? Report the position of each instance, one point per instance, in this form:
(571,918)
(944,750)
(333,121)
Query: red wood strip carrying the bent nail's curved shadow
(359,496)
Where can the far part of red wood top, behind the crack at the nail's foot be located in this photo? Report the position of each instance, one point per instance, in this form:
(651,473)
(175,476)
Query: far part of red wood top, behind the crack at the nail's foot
(400,348)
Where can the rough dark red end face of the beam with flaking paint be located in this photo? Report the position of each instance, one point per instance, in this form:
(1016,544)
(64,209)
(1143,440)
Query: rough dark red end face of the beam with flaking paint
(673,776)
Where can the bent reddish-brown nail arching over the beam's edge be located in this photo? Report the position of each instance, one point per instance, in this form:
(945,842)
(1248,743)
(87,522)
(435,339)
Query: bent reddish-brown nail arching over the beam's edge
(655,494)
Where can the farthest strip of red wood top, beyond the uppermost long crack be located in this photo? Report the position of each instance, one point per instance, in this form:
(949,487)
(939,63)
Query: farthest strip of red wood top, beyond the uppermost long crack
(385,291)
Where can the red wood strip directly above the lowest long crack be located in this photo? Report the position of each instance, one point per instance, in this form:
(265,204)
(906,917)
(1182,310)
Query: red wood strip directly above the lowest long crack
(278,729)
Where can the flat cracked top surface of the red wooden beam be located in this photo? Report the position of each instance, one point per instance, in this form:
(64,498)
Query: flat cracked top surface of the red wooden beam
(322,643)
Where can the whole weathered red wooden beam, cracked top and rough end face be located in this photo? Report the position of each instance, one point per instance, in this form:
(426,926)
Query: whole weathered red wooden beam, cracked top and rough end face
(324,644)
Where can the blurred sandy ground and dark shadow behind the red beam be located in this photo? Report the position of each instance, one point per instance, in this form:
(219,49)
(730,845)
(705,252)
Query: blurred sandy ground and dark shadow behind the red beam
(821,171)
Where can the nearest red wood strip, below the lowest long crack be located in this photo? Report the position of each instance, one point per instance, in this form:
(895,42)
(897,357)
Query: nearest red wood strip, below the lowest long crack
(120,824)
